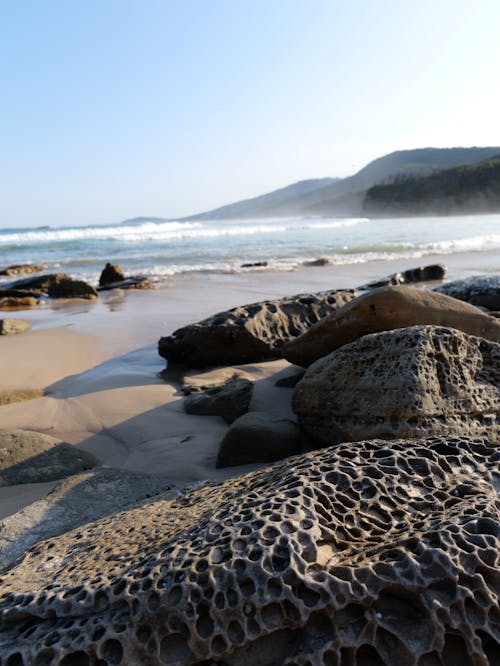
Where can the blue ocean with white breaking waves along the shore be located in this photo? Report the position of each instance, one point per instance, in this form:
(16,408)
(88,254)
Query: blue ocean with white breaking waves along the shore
(162,249)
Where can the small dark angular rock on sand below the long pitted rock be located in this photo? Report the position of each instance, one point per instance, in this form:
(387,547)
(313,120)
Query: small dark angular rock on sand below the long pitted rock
(230,400)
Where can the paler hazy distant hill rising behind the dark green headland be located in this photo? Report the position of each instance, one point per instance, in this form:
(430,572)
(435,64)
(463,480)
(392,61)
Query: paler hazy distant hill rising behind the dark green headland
(346,196)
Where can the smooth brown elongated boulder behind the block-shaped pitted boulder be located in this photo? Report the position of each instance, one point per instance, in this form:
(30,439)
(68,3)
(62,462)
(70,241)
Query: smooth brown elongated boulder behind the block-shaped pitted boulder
(385,309)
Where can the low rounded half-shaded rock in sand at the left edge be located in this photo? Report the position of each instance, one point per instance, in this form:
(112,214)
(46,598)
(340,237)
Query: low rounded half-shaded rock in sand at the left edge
(32,457)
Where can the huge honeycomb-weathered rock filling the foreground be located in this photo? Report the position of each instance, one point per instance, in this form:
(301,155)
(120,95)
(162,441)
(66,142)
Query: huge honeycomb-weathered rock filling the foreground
(365,554)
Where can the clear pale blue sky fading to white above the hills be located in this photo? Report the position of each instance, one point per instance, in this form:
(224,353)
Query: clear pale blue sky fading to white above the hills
(116,108)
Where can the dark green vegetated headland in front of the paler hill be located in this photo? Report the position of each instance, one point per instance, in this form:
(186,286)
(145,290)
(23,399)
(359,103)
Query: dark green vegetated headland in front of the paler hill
(465,189)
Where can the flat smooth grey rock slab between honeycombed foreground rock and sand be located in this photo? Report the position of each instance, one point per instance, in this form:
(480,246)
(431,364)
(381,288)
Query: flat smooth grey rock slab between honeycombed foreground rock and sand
(73,502)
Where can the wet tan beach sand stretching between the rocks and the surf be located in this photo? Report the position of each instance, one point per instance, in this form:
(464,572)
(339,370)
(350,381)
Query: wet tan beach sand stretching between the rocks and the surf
(99,366)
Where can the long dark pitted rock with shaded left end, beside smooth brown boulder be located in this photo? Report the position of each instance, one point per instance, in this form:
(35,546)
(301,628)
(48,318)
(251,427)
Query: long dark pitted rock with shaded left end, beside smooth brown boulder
(251,332)
